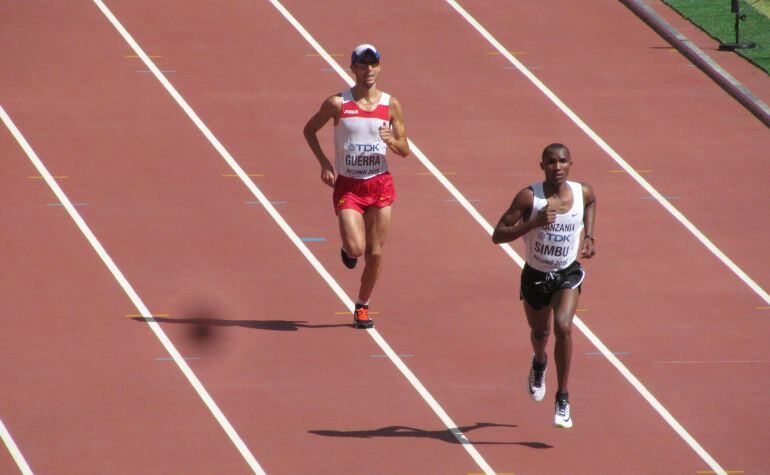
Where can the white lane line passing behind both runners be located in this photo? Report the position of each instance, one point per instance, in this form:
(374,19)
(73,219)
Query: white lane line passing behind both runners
(516,258)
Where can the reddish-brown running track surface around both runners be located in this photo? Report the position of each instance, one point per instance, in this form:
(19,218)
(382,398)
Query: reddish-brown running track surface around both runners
(89,386)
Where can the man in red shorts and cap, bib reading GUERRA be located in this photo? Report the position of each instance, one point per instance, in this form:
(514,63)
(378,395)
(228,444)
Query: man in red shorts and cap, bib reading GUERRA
(367,123)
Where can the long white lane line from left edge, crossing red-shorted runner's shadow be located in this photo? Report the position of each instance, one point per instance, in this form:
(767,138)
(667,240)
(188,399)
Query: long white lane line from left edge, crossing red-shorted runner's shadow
(129,290)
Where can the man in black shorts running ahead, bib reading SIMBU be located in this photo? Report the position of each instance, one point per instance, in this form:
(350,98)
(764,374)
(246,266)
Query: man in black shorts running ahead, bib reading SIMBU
(551,216)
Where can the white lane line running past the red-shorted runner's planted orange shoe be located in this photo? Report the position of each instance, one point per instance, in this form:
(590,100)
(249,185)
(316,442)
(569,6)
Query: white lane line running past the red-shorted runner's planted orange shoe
(405,371)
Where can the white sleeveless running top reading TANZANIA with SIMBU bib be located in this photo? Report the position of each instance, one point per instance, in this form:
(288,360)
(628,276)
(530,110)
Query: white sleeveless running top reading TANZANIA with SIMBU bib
(555,246)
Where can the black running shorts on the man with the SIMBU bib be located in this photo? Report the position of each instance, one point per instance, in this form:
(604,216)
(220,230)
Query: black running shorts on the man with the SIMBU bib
(538,287)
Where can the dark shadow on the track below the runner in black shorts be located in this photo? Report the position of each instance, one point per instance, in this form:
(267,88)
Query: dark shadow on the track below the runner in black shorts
(442,435)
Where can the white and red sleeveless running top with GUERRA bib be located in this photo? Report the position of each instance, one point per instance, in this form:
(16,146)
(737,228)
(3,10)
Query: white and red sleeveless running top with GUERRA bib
(359,151)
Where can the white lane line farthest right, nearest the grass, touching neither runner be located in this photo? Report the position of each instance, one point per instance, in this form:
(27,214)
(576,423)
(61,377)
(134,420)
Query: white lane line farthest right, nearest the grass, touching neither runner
(615,156)
